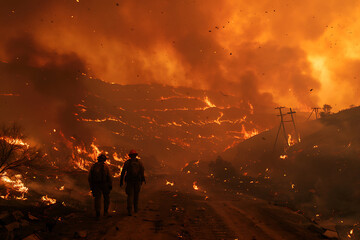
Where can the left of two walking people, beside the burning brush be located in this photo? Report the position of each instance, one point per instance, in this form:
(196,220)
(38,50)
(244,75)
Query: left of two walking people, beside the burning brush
(100,182)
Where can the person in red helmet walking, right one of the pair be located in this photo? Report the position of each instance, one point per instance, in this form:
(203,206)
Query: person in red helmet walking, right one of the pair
(133,171)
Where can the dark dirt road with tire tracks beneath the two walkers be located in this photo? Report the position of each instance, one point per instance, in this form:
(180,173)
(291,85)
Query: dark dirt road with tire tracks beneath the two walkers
(180,212)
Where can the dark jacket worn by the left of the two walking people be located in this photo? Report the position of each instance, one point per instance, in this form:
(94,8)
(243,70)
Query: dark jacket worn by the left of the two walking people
(99,175)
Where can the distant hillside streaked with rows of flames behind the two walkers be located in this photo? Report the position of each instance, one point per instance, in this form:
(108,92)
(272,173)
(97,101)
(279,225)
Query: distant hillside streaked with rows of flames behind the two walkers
(167,122)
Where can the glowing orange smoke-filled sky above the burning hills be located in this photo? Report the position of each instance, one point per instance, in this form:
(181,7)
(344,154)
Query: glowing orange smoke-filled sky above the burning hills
(300,53)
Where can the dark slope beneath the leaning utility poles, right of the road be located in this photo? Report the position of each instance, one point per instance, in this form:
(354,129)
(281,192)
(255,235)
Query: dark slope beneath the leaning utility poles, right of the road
(317,176)
